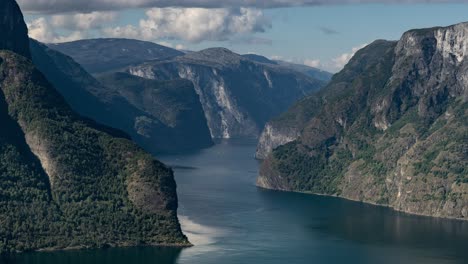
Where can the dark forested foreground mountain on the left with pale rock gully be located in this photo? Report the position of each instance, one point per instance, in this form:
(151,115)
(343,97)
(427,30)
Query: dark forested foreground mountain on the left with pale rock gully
(68,182)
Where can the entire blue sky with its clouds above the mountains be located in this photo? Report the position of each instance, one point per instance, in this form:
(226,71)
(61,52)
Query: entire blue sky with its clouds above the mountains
(317,33)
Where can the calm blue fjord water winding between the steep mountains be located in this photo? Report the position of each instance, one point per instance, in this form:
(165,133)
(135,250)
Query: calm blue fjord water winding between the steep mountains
(229,220)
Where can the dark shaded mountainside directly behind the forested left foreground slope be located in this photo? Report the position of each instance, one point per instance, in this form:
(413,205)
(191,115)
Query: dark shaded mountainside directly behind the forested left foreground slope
(159,116)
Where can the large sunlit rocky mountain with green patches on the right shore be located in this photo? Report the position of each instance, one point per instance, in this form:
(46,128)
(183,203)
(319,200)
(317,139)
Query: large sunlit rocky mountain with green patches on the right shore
(390,129)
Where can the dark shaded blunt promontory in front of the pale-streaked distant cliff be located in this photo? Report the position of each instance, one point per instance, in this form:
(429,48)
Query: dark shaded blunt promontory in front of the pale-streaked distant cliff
(173,118)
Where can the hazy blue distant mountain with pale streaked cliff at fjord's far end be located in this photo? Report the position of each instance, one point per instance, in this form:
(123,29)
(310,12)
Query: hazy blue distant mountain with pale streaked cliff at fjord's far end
(238,95)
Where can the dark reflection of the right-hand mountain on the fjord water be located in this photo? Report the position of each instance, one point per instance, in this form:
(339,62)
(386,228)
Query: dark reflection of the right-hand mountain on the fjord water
(371,225)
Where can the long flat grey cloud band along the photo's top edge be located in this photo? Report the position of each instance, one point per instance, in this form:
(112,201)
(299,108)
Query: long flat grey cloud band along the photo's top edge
(85,6)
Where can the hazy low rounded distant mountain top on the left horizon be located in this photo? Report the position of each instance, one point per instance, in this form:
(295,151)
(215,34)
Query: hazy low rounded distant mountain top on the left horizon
(99,55)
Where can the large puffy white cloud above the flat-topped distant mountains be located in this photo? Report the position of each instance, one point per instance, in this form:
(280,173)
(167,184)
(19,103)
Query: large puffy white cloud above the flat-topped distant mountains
(193,24)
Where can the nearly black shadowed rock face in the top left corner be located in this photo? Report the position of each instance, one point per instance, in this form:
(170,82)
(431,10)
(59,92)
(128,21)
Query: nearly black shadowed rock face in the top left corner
(13,30)
